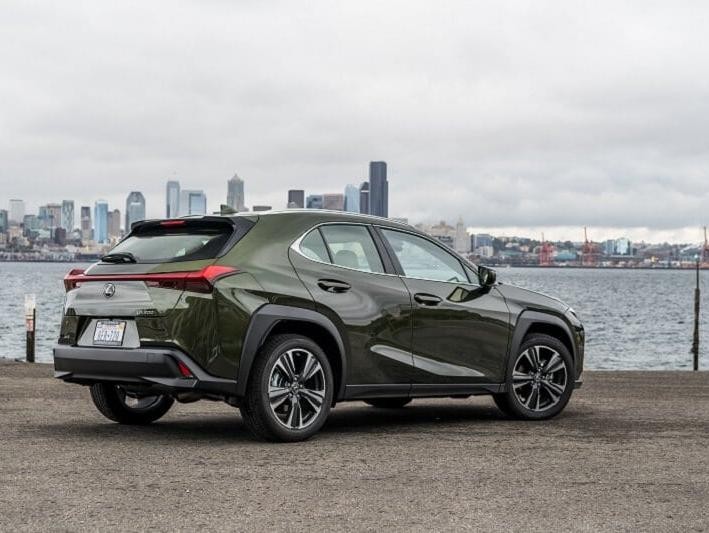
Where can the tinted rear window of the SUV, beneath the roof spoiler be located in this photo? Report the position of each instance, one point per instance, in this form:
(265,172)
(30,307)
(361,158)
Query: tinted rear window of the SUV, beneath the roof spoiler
(178,240)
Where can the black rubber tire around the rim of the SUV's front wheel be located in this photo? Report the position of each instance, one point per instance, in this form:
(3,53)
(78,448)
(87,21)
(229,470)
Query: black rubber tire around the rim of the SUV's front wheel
(510,403)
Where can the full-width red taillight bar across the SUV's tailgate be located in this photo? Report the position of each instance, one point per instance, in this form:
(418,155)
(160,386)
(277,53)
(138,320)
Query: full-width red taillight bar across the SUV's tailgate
(197,281)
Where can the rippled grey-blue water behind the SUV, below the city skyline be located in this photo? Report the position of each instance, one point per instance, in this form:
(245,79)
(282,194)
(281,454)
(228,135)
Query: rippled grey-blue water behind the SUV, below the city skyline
(634,319)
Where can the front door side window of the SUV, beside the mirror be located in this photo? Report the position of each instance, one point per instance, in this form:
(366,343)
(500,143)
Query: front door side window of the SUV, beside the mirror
(422,259)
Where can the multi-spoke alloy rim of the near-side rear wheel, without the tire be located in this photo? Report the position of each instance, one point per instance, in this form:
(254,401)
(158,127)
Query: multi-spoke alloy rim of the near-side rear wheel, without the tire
(296,388)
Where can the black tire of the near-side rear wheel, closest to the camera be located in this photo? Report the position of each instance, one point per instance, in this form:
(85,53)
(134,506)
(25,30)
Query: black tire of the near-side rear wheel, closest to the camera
(268,423)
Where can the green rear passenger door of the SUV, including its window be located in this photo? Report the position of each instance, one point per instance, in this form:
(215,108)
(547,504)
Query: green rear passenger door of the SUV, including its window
(360,292)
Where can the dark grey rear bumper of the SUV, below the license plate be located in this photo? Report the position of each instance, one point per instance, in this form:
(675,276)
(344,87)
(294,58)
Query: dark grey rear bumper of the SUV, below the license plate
(153,368)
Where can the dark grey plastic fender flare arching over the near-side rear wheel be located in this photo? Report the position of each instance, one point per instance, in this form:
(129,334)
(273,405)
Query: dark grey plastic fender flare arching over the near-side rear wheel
(262,323)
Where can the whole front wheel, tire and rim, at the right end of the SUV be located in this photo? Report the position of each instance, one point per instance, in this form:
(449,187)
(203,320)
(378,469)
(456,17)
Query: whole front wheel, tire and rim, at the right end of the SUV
(540,380)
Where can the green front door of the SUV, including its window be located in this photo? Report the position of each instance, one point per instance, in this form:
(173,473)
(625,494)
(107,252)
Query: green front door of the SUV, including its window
(460,329)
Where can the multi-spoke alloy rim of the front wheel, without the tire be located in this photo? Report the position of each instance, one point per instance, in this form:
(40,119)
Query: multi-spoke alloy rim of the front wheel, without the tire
(539,378)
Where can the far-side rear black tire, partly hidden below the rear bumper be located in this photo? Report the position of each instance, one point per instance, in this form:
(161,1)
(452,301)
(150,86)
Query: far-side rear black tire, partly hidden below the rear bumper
(111,402)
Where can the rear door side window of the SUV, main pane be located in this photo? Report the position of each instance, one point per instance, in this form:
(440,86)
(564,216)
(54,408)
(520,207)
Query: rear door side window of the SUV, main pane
(352,247)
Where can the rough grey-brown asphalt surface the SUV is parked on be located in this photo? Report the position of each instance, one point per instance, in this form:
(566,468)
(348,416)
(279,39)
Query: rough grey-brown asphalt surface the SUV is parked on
(630,453)
